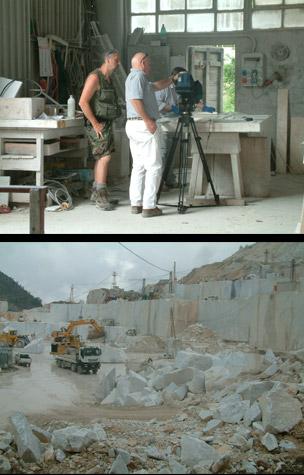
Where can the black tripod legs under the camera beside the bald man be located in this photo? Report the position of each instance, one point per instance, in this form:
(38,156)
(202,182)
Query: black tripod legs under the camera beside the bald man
(182,135)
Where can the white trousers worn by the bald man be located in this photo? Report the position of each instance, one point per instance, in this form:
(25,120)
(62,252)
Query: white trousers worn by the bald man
(147,164)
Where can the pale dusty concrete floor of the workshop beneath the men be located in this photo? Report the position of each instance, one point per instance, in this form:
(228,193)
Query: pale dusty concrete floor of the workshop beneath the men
(279,214)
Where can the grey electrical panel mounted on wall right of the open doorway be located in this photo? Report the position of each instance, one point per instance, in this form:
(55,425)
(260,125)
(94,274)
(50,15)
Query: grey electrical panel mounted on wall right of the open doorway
(253,69)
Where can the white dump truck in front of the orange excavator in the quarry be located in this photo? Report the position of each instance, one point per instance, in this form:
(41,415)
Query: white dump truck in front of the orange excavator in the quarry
(83,359)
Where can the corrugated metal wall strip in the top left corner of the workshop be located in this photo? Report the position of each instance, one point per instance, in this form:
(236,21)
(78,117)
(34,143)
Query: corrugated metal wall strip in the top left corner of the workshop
(14,38)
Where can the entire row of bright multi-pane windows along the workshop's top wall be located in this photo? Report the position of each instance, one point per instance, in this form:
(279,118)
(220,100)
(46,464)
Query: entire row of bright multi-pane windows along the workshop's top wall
(208,16)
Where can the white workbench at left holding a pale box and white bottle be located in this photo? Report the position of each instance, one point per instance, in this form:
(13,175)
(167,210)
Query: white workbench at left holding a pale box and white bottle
(37,131)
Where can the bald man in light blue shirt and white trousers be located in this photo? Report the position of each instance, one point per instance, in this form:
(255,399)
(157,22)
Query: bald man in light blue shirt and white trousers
(144,136)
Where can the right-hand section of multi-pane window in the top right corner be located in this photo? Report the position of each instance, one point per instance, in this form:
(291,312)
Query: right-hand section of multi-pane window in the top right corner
(277,14)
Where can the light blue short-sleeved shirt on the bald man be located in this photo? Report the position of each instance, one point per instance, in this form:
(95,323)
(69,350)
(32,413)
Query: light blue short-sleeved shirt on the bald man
(139,87)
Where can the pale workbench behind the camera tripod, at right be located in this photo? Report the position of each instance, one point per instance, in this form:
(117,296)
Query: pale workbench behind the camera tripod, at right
(238,153)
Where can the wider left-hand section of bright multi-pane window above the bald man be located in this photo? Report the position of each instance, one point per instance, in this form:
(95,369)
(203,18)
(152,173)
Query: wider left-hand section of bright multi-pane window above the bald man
(193,16)
